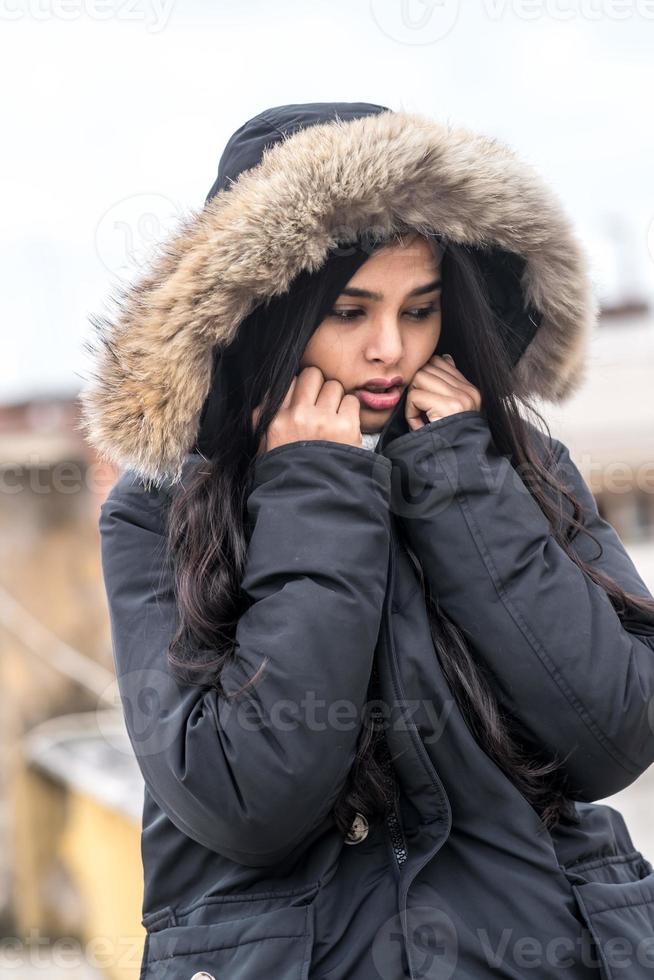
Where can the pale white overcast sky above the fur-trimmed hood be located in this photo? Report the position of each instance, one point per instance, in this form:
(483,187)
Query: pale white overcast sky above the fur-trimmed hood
(115,116)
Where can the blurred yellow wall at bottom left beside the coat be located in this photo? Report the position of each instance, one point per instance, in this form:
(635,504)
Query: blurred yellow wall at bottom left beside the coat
(76,872)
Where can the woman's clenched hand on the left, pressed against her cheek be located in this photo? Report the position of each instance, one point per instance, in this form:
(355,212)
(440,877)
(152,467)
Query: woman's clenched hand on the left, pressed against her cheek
(313,409)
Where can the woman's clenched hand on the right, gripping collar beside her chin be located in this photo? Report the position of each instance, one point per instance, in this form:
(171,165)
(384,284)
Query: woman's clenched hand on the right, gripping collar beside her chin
(439,389)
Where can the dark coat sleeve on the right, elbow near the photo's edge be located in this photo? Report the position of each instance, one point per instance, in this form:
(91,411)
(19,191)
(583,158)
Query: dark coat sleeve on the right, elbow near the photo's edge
(576,679)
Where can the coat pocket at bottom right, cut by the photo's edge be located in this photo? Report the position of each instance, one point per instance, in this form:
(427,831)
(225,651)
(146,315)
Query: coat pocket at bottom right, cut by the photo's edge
(615,896)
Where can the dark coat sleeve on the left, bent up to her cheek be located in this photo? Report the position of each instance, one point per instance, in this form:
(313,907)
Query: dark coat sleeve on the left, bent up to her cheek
(251,778)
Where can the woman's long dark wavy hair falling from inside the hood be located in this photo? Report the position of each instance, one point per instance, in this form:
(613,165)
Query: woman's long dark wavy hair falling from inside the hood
(207,532)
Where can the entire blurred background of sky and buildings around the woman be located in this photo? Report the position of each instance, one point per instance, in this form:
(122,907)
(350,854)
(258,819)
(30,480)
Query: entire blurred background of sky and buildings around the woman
(114,117)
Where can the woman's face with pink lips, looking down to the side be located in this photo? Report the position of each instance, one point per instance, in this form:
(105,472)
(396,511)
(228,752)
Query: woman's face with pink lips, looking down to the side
(384,325)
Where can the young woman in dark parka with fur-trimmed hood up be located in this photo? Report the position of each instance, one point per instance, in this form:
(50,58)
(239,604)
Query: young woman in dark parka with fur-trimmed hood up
(378,652)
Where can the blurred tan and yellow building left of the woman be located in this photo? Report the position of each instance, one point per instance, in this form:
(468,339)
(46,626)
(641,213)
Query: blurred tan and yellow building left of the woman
(56,833)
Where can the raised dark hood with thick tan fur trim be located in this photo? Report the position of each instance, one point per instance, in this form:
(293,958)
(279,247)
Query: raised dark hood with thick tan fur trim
(293,182)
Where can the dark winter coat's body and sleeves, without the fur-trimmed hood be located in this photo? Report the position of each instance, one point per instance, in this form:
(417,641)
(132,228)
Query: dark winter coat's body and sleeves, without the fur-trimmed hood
(246,875)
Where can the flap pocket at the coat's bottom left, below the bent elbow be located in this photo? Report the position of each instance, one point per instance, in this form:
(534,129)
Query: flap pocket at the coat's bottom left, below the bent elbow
(277,943)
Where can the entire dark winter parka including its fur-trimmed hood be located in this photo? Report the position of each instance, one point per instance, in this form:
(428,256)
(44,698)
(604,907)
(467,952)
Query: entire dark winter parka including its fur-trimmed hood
(246,875)
